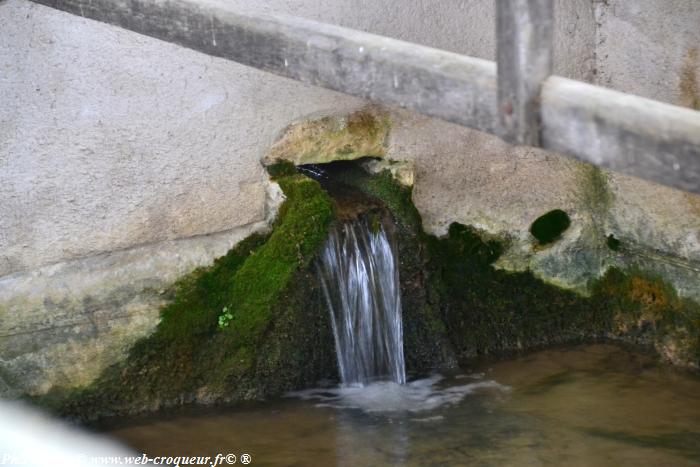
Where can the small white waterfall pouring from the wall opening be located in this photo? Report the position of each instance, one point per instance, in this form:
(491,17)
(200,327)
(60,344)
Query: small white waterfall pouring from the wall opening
(359,274)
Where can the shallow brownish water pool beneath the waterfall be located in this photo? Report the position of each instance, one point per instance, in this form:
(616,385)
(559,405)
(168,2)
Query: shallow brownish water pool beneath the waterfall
(596,405)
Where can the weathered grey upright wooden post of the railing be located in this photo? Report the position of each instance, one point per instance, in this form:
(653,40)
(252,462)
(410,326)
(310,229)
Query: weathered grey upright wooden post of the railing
(524,31)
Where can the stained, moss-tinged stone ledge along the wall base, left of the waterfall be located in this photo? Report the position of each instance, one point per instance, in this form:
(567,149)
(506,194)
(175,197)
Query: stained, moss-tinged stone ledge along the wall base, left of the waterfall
(61,325)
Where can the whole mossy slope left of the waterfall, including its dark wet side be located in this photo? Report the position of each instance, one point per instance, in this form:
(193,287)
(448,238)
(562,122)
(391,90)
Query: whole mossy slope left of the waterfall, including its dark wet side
(278,324)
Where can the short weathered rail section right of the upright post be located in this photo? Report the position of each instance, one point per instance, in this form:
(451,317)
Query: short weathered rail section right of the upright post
(625,133)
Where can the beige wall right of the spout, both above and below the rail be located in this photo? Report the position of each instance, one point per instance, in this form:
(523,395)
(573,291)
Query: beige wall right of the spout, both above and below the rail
(647,48)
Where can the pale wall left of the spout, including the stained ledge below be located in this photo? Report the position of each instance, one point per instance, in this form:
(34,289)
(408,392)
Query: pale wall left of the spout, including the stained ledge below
(125,162)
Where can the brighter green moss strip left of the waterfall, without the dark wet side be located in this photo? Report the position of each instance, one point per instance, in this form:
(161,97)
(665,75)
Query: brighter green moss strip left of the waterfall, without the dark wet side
(188,356)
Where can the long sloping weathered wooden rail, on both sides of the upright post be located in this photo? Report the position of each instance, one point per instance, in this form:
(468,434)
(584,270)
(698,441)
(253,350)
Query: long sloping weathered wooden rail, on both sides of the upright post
(633,135)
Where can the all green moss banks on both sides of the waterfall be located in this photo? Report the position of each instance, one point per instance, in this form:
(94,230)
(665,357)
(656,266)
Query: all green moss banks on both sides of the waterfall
(454,300)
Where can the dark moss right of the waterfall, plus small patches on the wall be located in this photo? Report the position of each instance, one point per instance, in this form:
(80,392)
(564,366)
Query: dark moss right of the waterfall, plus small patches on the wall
(486,311)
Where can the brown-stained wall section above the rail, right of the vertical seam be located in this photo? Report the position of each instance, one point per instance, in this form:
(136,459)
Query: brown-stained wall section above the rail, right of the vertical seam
(646,57)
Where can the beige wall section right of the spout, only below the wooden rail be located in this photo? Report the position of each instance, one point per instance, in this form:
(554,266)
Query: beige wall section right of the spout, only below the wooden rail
(502,189)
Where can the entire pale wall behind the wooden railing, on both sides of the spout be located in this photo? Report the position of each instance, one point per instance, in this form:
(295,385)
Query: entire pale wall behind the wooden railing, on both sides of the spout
(126,162)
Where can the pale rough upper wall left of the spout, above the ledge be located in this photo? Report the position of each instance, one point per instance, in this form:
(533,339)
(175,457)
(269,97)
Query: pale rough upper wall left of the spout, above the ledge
(110,140)
